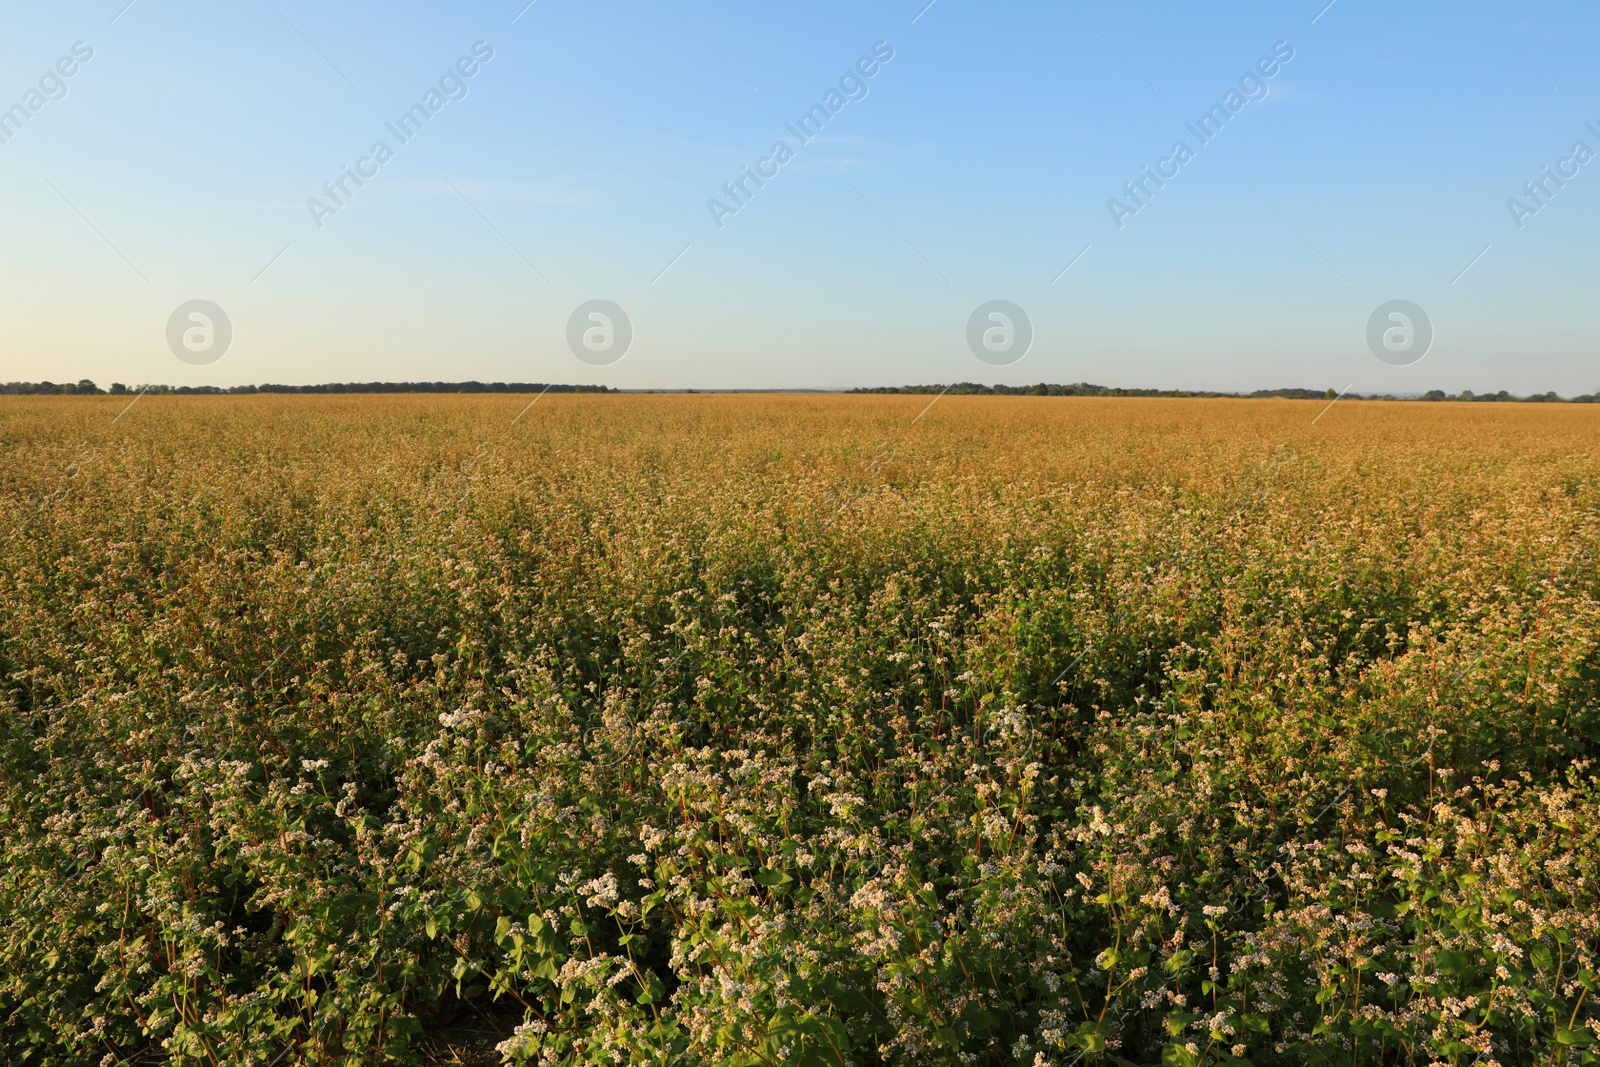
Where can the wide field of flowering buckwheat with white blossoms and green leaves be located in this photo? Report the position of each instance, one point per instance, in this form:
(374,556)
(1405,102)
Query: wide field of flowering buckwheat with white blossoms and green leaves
(799,730)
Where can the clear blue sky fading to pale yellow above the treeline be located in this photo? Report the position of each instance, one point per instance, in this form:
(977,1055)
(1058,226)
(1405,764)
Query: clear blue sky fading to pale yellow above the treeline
(582,158)
